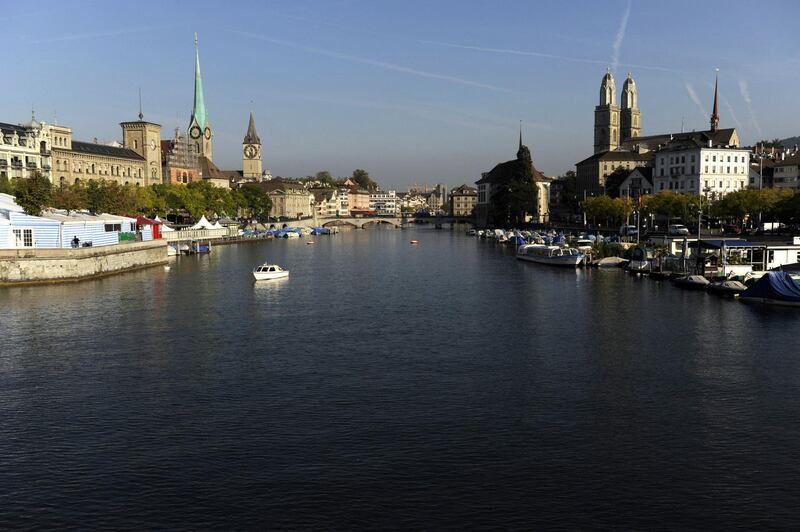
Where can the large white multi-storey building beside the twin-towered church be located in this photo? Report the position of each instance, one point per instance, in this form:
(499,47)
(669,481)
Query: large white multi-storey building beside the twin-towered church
(695,165)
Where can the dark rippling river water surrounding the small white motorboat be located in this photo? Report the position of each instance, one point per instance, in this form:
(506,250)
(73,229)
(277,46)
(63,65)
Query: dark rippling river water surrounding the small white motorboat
(387,386)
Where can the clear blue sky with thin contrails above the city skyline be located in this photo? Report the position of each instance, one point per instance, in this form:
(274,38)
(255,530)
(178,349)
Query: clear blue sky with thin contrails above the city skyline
(415,92)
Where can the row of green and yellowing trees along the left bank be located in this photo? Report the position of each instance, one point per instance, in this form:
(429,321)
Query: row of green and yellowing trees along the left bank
(98,196)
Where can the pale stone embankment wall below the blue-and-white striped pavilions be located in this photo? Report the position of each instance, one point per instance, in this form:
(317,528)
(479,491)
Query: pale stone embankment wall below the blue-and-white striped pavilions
(35,266)
